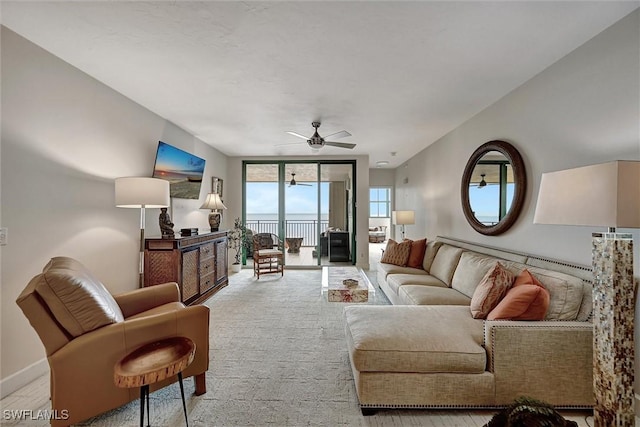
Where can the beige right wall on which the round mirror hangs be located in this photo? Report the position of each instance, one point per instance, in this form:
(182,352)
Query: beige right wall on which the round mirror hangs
(582,110)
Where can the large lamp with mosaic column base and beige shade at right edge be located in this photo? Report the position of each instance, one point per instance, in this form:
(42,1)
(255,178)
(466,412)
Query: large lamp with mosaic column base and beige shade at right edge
(607,195)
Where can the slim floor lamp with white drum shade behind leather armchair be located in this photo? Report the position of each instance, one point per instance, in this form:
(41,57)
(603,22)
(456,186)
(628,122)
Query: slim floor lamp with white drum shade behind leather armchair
(141,193)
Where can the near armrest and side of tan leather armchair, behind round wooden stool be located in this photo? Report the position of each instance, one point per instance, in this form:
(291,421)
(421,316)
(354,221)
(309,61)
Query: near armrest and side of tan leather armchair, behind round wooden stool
(92,356)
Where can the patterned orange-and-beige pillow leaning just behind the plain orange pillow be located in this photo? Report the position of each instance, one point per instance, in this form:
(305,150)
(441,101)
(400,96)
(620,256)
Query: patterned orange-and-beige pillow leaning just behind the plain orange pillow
(490,291)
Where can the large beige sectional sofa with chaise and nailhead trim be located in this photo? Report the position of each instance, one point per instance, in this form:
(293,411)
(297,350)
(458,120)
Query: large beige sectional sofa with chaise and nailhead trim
(426,350)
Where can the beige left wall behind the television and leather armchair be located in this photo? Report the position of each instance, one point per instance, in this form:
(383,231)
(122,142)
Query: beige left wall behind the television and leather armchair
(65,137)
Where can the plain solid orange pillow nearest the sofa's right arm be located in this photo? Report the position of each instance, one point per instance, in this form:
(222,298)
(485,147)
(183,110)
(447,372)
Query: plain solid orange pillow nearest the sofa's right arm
(527,300)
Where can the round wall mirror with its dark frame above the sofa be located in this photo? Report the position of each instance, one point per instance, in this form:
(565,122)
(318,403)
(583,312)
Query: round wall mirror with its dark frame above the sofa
(493,187)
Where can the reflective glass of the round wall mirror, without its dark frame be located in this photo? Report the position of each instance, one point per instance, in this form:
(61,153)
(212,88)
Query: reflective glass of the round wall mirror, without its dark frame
(491,188)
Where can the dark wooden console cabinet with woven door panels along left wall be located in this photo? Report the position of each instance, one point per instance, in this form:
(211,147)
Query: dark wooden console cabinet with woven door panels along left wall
(197,263)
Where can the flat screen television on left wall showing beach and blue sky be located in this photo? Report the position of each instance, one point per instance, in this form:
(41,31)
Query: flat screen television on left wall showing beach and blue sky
(183,171)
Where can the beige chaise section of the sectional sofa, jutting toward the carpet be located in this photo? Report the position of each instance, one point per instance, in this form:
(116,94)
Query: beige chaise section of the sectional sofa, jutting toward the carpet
(417,356)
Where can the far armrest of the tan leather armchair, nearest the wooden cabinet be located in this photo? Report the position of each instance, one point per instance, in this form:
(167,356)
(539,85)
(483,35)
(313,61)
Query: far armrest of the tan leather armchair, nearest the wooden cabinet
(143,299)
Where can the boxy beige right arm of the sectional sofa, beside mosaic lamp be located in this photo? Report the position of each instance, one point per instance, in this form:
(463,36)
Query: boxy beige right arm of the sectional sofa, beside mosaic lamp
(547,360)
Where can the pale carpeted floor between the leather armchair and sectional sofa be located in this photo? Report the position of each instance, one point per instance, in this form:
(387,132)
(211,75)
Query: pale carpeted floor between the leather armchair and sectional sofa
(278,358)
